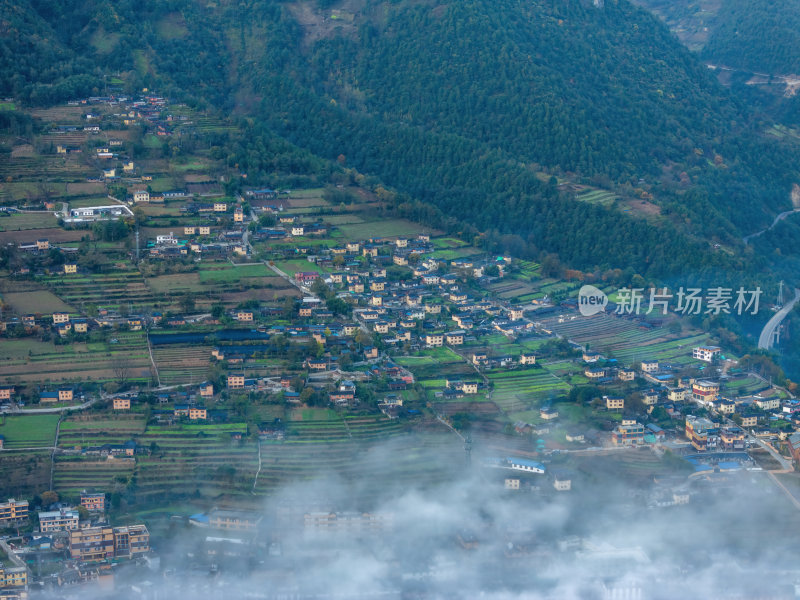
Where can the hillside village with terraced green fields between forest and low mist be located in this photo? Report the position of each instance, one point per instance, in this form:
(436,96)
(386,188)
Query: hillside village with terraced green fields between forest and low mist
(169,337)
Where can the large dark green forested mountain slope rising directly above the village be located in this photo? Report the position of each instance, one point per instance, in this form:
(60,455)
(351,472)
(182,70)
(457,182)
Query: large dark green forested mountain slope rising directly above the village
(471,111)
